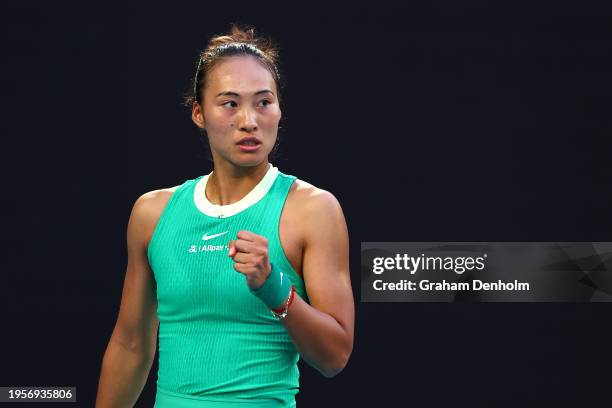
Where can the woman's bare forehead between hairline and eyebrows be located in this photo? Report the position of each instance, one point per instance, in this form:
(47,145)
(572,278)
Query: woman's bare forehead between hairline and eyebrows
(243,74)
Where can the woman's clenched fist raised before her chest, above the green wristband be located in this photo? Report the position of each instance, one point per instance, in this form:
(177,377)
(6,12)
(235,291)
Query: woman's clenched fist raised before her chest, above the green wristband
(250,254)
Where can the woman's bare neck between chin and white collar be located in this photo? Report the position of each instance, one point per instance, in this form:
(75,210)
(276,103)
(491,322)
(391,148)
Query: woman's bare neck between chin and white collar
(228,183)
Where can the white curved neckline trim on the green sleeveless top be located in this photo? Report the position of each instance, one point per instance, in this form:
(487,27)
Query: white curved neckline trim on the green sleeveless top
(221,211)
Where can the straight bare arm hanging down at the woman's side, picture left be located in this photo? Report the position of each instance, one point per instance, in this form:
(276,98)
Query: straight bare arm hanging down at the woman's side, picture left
(131,349)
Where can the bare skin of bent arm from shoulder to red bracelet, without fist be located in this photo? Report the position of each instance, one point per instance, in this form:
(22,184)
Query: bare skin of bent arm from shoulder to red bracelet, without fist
(322,331)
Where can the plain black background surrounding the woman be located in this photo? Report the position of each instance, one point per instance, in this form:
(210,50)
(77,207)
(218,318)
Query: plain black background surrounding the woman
(442,121)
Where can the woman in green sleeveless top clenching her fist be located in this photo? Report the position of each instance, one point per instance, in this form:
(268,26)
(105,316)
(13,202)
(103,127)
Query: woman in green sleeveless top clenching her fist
(244,269)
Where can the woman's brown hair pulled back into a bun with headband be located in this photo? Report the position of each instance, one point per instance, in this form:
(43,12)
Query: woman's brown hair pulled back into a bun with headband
(238,42)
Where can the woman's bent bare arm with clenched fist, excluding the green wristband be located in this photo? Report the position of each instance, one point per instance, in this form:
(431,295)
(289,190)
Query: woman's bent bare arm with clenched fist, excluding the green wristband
(321,331)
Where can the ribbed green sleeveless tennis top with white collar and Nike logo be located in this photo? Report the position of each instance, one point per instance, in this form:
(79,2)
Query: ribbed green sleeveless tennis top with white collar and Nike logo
(217,341)
